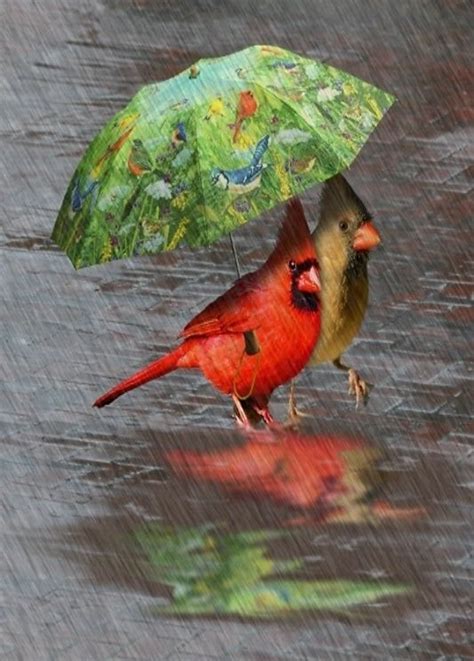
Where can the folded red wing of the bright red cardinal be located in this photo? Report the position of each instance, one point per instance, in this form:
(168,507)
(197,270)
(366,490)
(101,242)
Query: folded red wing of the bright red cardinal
(236,311)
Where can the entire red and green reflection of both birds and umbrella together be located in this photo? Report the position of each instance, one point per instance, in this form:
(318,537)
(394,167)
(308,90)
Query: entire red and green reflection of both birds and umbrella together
(212,570)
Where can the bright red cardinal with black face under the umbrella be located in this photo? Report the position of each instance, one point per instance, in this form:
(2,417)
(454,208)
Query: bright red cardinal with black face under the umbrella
(279,302)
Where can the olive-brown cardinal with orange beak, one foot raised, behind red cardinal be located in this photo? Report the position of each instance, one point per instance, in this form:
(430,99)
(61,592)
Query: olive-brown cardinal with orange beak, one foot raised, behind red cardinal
(344,236)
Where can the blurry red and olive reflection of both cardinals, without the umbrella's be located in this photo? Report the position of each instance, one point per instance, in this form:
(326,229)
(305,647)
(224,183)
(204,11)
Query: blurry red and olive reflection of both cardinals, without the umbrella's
(338,479)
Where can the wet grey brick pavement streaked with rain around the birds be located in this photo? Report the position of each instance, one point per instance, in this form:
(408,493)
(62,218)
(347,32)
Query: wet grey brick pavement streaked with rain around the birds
(88,497)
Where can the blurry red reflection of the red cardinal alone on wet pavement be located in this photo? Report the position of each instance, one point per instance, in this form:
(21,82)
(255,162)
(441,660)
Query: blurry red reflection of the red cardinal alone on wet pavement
(290,468)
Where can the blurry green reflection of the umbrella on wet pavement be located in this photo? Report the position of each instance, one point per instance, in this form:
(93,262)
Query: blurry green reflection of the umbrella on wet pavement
(233,574)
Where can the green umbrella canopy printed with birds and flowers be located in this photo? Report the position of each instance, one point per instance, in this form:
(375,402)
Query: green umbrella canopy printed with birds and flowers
(195,156)
